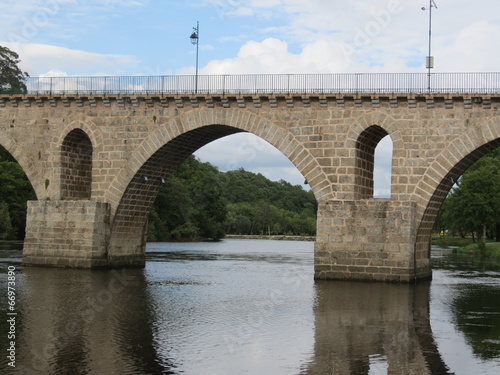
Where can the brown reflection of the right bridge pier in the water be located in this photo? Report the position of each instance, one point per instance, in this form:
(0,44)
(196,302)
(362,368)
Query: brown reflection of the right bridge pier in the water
(360,326)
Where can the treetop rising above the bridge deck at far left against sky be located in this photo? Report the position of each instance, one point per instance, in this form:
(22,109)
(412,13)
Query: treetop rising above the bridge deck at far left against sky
(12,79)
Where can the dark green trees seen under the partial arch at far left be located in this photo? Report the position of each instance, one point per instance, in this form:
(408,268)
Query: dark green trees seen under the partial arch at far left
(15,191)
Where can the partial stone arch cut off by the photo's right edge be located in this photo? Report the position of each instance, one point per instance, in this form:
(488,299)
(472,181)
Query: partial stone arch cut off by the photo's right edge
(442,174)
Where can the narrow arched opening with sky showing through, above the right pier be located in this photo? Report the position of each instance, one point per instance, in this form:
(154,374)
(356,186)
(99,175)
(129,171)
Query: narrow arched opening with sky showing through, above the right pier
(373,160)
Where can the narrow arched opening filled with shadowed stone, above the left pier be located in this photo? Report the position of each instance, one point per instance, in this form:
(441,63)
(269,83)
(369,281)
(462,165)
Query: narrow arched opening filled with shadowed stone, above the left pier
(76,165)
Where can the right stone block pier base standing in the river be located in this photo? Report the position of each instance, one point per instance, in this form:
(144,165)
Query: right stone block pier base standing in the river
(367,240)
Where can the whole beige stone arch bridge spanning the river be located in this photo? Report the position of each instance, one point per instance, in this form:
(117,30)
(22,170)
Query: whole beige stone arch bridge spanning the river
(96,163)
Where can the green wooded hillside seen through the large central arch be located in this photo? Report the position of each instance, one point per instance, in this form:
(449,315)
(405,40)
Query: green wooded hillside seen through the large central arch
(198,201)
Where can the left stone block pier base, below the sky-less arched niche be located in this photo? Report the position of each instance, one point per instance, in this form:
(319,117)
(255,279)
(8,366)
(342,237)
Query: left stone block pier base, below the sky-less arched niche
(67,234)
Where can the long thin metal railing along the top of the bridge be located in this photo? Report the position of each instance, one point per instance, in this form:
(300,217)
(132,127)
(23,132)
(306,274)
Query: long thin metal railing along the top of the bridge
(383,83)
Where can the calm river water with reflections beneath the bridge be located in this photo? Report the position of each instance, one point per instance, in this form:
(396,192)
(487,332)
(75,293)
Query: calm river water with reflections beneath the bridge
(249,307)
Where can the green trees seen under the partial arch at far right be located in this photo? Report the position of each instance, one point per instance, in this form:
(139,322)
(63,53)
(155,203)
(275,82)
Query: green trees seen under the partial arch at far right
(474,206)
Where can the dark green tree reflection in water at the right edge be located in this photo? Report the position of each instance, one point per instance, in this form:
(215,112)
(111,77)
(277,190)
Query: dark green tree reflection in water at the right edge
(477,314)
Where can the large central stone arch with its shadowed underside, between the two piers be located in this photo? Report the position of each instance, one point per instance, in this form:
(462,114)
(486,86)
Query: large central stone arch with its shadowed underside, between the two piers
(133,191)
